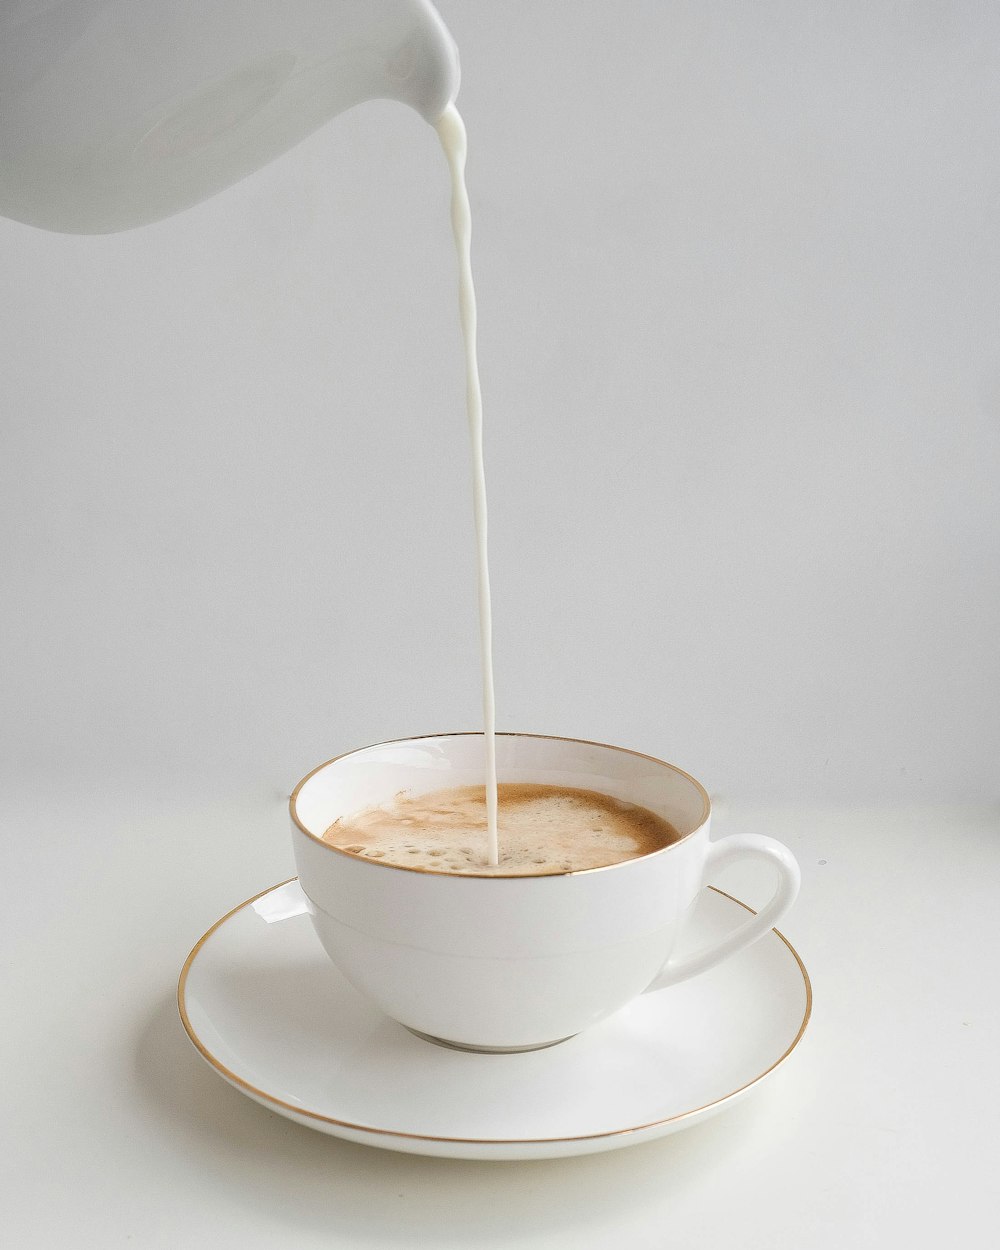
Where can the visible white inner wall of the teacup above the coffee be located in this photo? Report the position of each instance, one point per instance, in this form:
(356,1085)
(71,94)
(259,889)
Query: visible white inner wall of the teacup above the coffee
(419,766)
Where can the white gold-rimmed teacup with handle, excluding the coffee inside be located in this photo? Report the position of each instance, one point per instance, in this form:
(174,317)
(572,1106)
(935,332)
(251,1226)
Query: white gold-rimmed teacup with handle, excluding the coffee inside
(514,963)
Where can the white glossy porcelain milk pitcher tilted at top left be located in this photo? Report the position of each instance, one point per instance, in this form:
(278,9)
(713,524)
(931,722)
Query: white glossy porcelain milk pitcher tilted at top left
(118,113)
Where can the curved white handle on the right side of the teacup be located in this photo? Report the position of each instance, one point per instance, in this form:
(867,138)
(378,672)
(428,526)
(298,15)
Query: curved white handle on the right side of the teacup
(729,851)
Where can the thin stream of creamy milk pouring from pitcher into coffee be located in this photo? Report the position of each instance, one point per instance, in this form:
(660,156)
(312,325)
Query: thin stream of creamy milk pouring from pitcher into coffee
(452,132)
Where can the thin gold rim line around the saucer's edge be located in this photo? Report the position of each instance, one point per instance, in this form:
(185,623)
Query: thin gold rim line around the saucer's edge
(468,1142)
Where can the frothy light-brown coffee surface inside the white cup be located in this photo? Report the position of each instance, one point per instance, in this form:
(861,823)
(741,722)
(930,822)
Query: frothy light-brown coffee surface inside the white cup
(546,829)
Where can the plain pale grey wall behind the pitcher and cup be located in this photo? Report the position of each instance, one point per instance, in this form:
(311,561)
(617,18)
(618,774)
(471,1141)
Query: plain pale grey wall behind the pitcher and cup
(738,273)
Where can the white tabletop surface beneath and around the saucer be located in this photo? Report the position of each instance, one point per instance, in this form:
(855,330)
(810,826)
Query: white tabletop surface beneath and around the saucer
(881,1129)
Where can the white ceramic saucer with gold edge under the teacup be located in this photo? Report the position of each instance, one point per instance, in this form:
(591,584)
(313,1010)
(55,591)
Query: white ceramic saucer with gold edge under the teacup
(264,1006)
